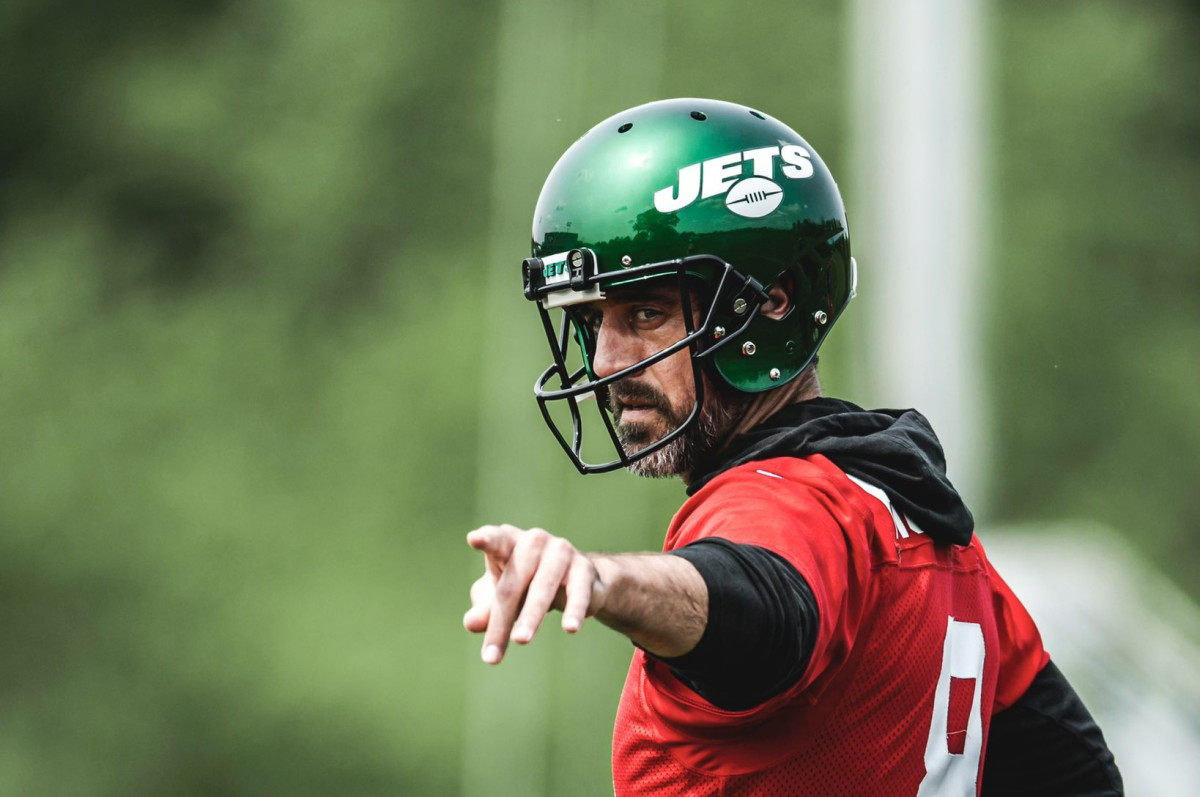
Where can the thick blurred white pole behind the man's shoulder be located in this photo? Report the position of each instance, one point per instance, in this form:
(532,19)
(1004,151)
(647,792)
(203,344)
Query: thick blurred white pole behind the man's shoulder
(919,217)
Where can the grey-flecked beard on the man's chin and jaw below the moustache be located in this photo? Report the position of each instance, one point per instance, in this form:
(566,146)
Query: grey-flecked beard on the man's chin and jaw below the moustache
(681,456)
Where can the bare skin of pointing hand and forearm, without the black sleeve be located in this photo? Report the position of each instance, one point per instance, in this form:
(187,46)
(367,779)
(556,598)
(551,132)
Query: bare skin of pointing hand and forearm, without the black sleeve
(659,602)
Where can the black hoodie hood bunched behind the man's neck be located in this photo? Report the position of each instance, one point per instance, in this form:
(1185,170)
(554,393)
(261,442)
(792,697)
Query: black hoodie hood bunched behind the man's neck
(893,450)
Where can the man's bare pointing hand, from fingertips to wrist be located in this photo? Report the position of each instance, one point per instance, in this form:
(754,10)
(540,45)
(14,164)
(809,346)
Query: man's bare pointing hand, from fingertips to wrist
(527,574)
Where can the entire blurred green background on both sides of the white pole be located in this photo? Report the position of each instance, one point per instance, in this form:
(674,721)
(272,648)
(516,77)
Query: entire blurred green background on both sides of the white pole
(265,359)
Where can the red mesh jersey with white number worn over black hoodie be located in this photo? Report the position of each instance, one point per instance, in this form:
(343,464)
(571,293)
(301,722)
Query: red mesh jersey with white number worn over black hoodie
(919,646)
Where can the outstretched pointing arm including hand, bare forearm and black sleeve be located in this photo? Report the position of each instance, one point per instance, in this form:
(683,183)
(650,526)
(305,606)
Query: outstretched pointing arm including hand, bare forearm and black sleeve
(735,622)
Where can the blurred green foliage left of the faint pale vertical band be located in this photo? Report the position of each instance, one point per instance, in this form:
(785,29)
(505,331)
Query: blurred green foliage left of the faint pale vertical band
(235,462)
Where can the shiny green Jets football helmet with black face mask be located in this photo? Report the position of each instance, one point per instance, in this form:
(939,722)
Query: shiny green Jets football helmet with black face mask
(710,194)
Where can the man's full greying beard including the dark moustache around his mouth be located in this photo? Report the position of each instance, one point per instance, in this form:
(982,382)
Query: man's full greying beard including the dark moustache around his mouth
(718,415)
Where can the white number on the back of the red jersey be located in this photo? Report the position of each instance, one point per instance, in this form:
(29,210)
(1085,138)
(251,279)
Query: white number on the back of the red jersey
(952,753)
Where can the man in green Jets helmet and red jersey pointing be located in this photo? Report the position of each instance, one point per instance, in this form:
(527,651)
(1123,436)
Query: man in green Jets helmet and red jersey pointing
(823,620)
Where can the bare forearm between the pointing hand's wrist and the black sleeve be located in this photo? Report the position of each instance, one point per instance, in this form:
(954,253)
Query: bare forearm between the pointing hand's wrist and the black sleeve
(657,601)
